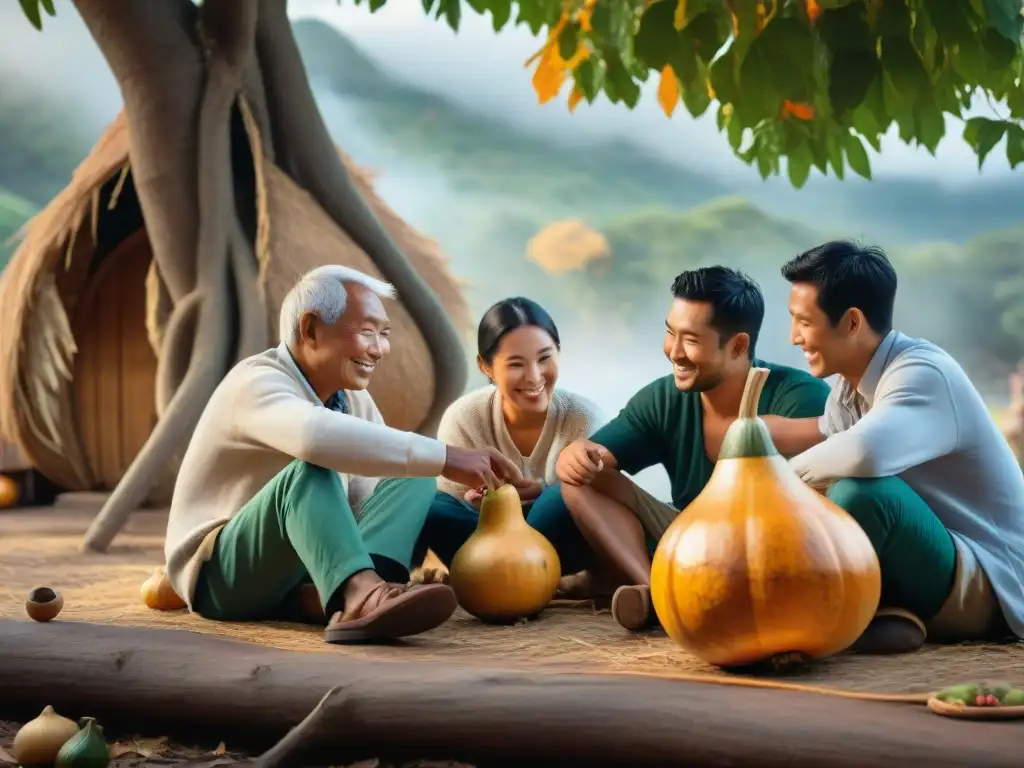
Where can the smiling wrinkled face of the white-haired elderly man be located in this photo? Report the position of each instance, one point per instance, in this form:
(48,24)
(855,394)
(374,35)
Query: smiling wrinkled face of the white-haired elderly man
(345,356)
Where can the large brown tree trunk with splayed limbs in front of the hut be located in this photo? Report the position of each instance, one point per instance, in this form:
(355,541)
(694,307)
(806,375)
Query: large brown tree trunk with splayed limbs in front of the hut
(185,72)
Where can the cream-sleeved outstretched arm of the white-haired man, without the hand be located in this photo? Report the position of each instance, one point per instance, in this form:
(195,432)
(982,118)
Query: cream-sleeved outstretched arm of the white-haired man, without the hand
(269,412)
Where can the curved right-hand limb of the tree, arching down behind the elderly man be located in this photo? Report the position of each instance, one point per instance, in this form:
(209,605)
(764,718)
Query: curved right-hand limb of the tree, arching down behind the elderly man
(307,152)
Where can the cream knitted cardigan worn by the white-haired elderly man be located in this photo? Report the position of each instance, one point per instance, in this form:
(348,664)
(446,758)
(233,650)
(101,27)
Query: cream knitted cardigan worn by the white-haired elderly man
(263,416)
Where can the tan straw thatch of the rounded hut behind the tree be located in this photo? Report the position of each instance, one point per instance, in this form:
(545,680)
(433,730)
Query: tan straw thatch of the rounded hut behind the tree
(39,288)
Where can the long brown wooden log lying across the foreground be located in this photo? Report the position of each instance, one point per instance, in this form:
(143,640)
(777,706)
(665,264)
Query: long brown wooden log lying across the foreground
(169,681)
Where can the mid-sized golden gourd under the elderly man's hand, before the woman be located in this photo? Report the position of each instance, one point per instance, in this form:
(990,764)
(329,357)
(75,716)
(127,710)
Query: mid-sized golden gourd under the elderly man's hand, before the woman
(506,570)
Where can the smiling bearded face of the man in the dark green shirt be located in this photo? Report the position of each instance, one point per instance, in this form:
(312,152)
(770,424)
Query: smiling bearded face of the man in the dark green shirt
(700,361)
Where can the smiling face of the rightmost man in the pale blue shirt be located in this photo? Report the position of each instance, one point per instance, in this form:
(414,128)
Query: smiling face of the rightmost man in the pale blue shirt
(827,348)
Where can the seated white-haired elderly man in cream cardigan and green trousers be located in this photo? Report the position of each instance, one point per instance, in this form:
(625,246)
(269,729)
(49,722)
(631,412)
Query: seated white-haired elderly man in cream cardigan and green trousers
(280,487)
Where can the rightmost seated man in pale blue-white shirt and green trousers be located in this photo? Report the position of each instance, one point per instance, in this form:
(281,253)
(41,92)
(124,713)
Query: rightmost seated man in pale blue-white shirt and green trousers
(908,447)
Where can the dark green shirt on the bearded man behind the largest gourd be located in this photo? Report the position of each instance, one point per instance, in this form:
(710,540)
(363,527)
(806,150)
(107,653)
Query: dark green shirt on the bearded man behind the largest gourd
(663,425)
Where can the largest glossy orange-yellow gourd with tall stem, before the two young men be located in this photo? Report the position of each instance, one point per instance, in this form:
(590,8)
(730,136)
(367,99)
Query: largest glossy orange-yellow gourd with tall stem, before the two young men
(760,565)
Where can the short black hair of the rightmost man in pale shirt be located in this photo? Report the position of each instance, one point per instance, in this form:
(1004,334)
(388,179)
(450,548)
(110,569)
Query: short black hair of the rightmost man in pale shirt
(849,275)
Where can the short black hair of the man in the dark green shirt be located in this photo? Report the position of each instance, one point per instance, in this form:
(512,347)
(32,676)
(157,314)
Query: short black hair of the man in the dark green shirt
(737,303)
